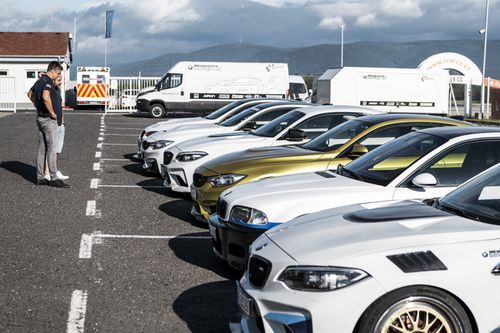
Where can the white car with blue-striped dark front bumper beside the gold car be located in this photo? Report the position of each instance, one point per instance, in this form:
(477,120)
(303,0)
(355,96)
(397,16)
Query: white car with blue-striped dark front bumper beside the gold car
(424,164)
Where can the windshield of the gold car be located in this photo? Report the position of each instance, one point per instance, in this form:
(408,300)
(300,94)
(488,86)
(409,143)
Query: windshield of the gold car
(337,136)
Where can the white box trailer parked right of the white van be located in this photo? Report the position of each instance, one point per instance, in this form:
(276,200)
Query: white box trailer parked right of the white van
(386,89)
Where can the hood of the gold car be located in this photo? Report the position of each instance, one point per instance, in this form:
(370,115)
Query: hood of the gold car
(261,156)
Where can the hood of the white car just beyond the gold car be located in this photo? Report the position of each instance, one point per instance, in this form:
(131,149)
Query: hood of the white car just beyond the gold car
(215,144)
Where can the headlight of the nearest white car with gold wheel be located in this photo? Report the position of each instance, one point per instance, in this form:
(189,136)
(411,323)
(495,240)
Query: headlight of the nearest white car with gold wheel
(321,278)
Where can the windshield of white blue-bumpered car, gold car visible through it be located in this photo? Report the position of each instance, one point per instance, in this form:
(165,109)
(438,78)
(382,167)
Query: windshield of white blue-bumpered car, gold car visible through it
(383,164)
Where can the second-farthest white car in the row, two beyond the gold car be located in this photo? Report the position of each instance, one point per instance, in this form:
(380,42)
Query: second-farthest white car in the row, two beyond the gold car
(153,146)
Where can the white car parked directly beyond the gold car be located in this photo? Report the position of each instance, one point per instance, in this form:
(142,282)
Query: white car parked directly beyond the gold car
(295,127)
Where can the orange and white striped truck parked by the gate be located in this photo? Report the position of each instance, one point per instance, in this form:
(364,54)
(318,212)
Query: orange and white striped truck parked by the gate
(92,86)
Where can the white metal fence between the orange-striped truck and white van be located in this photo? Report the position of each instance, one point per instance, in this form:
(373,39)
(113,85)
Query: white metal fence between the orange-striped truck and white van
(123,92)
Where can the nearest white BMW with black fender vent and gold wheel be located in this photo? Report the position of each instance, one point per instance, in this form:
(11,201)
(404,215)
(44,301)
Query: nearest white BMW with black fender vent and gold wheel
(385,267)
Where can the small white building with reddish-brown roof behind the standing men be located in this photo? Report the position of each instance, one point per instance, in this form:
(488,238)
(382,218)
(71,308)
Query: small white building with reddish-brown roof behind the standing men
(25,55)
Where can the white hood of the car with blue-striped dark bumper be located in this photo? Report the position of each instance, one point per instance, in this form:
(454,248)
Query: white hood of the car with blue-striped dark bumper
(286,197)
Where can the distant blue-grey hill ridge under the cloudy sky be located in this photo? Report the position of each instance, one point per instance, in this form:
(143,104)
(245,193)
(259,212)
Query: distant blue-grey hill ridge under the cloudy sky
(317,58)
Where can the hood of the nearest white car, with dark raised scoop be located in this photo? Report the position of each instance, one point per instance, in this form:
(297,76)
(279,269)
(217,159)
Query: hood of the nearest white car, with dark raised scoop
(357,230)
